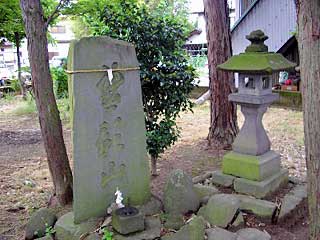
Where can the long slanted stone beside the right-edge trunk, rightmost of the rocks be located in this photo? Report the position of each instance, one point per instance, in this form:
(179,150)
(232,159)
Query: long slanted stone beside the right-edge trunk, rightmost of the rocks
(292,200)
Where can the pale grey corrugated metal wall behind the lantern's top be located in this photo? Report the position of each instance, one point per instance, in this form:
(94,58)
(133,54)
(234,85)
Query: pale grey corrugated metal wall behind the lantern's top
(277,18)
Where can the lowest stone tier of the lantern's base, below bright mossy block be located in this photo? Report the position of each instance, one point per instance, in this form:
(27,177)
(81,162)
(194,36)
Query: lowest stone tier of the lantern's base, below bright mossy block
(263,188)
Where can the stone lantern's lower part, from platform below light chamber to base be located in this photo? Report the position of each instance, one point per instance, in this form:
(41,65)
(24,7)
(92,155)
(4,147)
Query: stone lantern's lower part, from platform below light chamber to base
(257,168)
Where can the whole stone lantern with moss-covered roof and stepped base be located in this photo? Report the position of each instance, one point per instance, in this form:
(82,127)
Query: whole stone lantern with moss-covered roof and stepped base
(257,168)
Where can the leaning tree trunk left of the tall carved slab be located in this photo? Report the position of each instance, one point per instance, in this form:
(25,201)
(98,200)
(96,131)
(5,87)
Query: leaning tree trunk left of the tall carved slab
(49,118)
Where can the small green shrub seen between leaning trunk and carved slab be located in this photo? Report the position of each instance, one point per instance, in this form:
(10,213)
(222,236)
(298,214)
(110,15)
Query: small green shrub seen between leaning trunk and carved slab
(60,82)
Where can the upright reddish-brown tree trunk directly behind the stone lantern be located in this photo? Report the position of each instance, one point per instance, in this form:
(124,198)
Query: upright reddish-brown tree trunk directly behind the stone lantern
(223,123)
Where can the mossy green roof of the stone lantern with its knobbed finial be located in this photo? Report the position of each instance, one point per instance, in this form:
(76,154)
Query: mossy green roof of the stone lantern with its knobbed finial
(256,59)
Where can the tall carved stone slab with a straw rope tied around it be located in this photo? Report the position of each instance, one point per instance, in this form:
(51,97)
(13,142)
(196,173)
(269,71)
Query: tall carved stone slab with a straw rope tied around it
(109,143)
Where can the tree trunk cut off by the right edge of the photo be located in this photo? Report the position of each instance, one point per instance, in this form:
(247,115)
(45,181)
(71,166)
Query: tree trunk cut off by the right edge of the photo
(309,48)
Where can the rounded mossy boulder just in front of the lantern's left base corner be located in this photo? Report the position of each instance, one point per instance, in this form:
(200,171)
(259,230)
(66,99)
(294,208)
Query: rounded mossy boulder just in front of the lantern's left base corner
(220,210)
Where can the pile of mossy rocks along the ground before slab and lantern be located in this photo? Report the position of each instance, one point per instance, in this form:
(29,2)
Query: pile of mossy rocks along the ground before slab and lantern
(189,211)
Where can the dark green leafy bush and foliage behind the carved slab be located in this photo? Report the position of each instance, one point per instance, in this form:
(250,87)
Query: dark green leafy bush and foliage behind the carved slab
(158,32)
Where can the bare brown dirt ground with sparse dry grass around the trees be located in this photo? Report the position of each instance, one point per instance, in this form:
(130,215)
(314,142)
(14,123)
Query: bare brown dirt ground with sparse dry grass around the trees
(25,183)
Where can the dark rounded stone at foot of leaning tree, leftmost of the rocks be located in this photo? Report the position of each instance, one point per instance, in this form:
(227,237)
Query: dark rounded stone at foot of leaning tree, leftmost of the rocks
(39,221)
